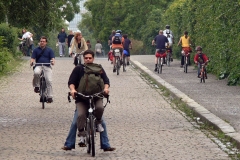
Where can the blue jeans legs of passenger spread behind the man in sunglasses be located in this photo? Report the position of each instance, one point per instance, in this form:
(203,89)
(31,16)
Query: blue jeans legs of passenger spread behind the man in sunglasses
(71,138)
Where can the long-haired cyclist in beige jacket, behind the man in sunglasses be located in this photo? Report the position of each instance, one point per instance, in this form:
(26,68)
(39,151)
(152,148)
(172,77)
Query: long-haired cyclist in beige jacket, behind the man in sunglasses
(78,45)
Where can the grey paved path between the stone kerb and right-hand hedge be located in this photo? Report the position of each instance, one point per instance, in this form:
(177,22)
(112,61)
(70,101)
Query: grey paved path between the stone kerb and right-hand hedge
(214,95)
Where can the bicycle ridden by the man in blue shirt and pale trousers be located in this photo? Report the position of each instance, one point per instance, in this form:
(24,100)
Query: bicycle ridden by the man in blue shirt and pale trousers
(43,85)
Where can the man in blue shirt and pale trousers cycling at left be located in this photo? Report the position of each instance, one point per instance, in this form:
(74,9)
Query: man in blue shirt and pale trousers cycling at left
(43,54)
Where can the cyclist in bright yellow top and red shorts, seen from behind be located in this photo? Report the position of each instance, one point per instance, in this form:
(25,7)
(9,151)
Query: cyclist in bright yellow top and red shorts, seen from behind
(186,43)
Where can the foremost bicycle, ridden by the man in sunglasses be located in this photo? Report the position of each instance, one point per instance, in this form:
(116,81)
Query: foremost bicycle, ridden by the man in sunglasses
(91,119)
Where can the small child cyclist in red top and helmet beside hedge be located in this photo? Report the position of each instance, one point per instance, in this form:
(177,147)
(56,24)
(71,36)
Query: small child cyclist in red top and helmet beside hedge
(199,59)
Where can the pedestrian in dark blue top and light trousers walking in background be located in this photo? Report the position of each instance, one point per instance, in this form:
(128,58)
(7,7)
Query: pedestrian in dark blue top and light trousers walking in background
(62,40)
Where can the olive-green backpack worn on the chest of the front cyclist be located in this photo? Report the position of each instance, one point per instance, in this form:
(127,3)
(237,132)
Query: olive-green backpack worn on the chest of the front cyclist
(91,82)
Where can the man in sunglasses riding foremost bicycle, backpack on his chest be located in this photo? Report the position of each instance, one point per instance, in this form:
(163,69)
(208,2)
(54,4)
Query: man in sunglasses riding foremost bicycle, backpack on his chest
(76,79)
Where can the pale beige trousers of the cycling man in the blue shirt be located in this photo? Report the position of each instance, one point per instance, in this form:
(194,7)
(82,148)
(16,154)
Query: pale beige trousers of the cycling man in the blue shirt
(48,78)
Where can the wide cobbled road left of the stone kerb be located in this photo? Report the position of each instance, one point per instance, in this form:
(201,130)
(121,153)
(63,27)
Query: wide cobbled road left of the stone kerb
(141,125)
